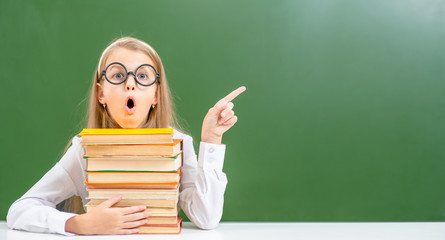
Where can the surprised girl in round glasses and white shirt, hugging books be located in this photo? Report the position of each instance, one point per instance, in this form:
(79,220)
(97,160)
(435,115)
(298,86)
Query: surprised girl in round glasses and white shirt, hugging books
(130,90)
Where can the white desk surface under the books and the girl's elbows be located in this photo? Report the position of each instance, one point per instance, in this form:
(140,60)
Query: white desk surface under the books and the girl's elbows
(275,231)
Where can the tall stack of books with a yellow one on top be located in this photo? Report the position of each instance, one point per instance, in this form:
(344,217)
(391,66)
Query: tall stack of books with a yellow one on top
(142,165)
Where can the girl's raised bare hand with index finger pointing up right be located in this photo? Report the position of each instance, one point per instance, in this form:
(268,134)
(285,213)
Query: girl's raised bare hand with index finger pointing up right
(220,118)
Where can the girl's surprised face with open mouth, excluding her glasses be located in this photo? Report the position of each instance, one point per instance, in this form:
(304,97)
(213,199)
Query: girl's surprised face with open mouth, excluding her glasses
(128,103)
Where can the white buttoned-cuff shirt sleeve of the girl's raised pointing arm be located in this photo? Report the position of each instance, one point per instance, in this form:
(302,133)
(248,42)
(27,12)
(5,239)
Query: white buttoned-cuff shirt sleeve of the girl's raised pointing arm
(203,184)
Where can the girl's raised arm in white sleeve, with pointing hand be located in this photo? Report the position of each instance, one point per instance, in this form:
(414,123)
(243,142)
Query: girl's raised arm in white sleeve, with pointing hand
(203,183)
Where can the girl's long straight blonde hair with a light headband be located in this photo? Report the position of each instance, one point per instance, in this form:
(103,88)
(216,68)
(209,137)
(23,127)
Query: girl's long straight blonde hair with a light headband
(162,116)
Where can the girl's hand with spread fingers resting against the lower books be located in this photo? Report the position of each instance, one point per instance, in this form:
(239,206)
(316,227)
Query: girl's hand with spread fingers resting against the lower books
(104,219)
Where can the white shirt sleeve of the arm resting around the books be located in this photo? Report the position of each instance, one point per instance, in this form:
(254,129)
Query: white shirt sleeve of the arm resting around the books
(36,210)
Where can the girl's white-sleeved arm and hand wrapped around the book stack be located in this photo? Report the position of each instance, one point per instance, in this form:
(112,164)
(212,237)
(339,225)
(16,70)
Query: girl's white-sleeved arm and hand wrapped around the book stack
(36,210)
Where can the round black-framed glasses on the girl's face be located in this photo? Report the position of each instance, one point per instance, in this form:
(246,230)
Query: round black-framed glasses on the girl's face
(116,73)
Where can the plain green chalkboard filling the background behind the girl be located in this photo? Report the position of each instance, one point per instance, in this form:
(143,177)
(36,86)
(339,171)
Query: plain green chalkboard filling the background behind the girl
(343,118)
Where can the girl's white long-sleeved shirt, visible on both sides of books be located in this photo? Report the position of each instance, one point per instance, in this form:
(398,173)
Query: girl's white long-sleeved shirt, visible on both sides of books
(201,194)
